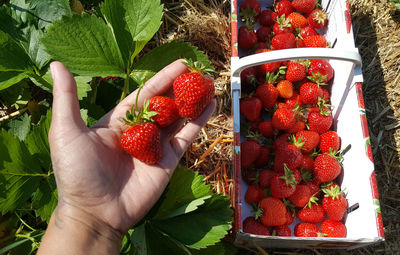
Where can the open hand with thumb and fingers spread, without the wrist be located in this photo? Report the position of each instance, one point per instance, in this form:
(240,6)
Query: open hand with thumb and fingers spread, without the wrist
(93,172)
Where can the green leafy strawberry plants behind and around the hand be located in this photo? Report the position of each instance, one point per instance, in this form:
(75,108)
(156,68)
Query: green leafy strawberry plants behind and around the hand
(188,218)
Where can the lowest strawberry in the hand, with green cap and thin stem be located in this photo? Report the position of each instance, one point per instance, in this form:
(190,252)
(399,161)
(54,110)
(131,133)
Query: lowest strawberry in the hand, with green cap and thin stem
(142,138)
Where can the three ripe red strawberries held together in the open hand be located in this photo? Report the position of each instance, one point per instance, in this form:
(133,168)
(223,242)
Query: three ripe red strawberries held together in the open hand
(193,92)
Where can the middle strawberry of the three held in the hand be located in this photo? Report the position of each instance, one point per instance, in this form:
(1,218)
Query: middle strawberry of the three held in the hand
(166,109)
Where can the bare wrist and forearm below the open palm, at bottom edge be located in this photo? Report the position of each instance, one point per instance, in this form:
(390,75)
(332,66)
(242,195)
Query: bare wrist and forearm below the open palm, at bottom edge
(75,232)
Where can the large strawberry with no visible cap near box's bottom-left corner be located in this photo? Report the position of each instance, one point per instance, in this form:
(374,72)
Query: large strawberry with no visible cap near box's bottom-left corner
(273,212)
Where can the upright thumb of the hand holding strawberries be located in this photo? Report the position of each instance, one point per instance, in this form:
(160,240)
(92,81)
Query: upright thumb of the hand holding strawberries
(66,112)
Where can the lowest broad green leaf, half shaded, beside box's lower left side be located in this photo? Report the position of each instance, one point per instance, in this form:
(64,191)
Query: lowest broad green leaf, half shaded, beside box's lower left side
(203,227)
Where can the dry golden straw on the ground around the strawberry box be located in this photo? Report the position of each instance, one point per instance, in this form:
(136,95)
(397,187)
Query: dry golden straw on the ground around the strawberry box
(205,23)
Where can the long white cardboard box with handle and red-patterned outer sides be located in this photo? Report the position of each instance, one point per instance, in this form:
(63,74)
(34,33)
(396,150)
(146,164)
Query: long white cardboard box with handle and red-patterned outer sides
(364,222)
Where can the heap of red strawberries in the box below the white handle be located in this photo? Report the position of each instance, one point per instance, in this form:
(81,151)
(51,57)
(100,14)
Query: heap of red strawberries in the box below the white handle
(291,157)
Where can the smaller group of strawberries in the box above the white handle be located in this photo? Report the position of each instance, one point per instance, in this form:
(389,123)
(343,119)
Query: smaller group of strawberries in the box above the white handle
(291,25)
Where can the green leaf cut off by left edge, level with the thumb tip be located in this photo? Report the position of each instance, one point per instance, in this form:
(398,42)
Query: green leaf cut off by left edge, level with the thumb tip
(12,56)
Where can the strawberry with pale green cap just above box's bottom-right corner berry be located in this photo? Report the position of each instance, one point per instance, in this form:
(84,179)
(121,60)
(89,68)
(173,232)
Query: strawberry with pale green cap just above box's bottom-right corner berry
(335,205)
